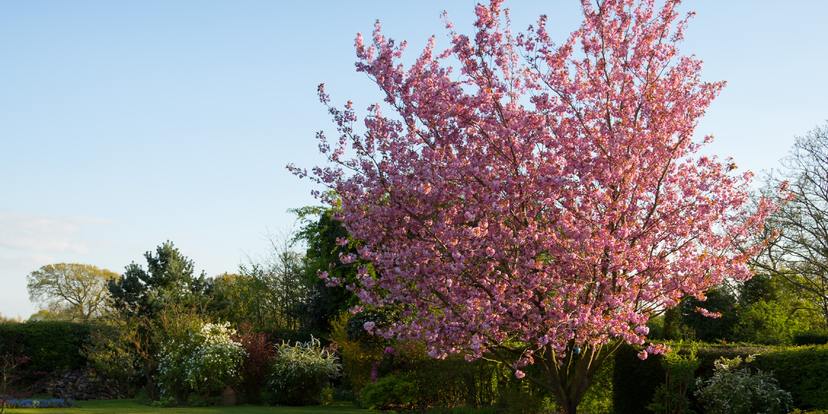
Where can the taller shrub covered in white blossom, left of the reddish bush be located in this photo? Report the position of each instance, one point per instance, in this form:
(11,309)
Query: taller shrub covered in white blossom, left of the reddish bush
(204,362)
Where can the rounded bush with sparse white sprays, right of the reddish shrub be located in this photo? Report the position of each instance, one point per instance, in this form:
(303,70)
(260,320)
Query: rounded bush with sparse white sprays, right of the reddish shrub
(300,372)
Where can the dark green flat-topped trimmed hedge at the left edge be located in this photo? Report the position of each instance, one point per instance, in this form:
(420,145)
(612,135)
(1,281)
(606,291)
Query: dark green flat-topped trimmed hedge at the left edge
(51,346)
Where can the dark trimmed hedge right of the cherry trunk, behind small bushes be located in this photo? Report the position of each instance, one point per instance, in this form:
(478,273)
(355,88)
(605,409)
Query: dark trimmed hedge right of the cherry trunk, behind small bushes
(799,370)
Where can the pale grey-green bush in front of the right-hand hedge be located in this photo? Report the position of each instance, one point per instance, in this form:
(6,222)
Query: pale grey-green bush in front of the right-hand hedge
(735,389)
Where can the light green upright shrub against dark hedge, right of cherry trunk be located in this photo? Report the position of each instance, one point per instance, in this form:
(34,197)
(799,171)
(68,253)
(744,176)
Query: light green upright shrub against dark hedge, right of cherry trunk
(680,367)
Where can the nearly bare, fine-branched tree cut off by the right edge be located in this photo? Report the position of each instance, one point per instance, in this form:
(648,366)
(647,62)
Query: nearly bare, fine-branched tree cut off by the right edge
(800,254)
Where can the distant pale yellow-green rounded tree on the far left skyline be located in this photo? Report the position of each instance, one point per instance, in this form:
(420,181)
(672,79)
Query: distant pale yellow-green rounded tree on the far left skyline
(78,291)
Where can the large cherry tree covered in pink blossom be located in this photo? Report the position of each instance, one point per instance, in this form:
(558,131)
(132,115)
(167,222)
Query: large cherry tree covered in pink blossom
(533,201)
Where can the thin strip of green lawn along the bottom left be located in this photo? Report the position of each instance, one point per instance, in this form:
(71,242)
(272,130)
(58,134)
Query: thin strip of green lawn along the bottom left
(132,407)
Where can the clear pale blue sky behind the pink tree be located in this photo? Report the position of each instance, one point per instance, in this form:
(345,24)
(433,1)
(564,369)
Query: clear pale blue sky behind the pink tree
(124,124)
